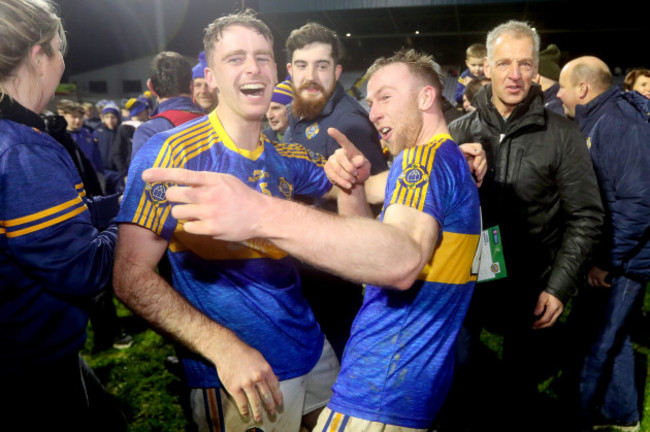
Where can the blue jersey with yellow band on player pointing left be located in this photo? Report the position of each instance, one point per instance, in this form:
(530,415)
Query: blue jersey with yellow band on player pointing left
(397,365)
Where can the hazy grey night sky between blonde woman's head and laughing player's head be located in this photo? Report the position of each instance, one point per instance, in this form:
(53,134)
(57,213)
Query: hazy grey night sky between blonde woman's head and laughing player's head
(105,32)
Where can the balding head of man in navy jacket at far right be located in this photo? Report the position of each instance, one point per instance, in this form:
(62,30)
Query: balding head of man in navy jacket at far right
(582,80)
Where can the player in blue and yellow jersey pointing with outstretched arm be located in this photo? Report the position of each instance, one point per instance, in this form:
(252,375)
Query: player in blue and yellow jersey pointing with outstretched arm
(398,363)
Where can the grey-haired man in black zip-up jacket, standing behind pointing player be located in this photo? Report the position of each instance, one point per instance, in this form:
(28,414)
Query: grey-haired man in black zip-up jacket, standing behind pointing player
(541,190)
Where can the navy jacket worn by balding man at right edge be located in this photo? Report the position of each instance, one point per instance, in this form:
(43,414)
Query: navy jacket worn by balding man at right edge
(617,128)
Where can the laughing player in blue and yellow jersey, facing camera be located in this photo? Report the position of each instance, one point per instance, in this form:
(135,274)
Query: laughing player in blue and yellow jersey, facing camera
(252,342)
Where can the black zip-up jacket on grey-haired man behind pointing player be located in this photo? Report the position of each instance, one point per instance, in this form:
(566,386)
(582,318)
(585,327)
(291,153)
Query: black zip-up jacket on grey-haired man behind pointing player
(540,189)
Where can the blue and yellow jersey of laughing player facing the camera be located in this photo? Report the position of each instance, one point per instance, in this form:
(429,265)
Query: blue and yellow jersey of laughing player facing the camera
(251,287)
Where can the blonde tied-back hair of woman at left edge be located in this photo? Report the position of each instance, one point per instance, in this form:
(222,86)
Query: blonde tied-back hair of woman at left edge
(23,25)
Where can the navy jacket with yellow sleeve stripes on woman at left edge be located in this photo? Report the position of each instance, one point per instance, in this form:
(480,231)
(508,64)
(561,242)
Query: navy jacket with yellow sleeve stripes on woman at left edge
(52,258)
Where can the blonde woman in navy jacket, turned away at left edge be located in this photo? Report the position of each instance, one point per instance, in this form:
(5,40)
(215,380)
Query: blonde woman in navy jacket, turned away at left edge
(52,258)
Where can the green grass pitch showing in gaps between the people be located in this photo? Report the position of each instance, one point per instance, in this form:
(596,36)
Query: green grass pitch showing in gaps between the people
(151,395)
